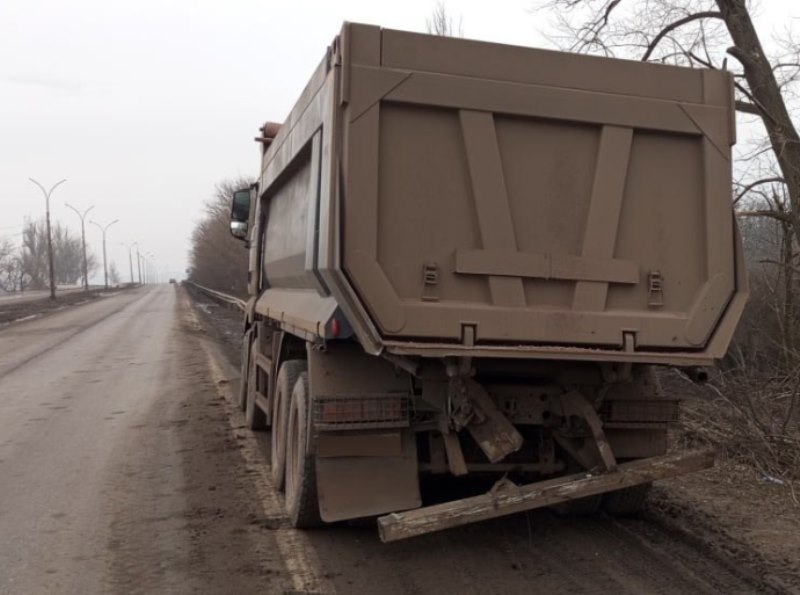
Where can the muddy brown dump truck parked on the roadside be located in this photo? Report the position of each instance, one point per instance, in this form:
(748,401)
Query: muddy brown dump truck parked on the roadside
(467,259)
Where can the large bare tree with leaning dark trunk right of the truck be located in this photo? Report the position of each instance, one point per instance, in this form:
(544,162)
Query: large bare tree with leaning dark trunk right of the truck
(720,34)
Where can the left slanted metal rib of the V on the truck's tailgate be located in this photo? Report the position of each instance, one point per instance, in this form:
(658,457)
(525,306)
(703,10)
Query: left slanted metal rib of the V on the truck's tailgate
(491,200)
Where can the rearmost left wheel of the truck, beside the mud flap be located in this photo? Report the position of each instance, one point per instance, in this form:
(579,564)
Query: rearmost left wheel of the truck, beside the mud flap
(302,504)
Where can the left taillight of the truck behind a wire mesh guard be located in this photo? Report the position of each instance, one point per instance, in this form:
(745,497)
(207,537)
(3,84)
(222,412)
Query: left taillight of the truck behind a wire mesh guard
(345,413)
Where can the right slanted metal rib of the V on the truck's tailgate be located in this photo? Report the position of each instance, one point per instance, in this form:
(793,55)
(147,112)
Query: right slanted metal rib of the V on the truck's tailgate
(602,223)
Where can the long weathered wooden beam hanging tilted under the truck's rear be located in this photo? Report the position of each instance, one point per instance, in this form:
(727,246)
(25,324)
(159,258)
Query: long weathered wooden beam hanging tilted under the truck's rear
(506,498)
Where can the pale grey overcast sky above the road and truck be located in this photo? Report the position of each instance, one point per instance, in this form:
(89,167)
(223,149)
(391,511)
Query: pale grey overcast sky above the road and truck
(143,106)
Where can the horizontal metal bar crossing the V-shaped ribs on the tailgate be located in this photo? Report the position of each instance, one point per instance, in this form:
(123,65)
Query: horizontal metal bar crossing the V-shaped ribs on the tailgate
(546,266)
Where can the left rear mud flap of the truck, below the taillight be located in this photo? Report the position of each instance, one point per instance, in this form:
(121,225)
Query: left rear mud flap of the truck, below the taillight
(352,486)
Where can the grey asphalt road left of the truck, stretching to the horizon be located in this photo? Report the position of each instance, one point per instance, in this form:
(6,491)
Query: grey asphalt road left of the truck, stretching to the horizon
(105,485)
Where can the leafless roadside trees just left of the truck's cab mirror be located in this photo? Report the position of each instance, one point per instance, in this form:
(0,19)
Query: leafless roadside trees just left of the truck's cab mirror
(217,259)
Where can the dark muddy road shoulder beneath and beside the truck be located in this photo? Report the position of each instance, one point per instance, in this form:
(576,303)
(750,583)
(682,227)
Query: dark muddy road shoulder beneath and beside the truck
(723,531)
